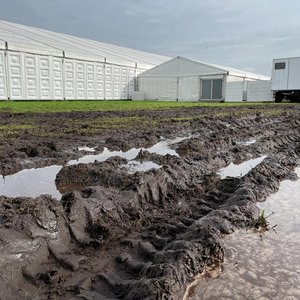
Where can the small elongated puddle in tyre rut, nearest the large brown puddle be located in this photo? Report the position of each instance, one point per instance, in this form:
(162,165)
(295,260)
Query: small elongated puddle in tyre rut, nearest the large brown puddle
(240,170)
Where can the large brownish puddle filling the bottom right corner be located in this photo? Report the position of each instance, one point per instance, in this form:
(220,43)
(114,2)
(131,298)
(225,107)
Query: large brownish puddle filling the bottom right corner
(261,267)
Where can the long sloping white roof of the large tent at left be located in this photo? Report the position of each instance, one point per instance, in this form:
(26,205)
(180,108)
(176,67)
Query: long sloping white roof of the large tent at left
(25,38)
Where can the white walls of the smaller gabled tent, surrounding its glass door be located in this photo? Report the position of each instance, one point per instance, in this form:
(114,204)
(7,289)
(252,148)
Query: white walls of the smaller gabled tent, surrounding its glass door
(188,88)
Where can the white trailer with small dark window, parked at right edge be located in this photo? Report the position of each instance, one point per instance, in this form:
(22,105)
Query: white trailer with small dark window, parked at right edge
(286,79)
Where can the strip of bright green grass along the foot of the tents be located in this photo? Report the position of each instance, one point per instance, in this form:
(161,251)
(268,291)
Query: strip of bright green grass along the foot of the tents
(105,105)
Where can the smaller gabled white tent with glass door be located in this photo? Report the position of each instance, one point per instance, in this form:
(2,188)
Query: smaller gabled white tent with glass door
(183,79)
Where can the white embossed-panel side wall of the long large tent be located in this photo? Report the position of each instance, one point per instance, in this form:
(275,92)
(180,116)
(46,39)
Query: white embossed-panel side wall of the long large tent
(29,76)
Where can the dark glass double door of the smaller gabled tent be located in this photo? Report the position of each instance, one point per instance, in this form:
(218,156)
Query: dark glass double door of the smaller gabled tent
(212,89)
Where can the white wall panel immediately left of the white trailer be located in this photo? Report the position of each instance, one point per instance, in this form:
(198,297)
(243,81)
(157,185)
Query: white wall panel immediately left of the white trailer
(259,91)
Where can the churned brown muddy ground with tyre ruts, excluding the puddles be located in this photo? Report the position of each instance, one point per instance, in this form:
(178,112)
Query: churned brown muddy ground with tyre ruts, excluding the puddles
(142,235)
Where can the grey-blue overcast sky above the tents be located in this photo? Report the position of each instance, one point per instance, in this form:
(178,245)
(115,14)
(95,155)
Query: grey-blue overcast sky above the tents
(245,34)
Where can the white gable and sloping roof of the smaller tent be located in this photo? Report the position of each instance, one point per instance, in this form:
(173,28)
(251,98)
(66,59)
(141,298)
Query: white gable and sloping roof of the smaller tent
(180,66)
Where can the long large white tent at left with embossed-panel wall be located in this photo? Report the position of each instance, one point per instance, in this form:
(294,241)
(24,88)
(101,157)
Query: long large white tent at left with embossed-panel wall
(36,64)
